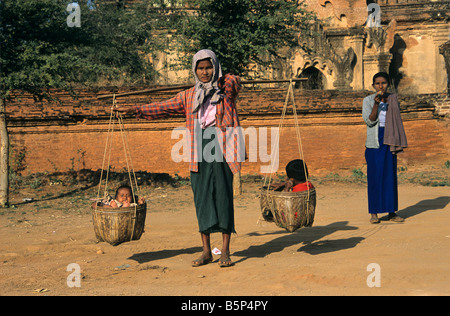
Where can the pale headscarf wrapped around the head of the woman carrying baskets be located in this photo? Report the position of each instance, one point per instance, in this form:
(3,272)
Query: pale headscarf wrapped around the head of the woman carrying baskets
(204,90)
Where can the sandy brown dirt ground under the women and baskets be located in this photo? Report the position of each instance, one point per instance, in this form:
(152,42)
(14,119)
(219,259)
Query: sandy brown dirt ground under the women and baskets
(42,237)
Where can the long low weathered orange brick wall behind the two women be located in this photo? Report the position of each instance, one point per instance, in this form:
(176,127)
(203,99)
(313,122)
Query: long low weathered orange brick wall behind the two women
(71,134)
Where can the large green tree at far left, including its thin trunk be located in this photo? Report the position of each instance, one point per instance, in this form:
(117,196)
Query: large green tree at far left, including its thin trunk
(40,52)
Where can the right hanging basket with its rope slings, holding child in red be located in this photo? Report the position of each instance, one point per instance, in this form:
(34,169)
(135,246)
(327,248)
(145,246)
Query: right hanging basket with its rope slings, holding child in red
(288,210)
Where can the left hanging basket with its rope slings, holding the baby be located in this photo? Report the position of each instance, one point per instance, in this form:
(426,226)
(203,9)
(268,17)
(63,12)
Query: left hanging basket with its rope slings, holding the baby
(118,225)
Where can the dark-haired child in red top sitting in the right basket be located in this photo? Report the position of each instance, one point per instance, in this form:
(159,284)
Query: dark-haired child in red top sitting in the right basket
(297,172)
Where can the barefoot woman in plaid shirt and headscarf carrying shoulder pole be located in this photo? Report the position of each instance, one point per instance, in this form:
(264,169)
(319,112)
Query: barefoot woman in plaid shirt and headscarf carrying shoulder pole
(210,111)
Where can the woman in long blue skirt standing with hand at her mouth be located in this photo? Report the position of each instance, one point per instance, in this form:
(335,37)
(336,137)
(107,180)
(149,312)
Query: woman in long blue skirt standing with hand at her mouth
(385,139)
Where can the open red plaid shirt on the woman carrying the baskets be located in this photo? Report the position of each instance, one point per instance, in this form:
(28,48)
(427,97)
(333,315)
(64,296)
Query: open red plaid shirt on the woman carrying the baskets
(226,117)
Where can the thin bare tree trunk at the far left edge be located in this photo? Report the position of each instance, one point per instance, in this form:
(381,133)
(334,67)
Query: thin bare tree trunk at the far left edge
(4,156)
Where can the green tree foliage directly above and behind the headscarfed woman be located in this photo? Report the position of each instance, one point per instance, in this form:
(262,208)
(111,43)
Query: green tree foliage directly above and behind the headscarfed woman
(242,32)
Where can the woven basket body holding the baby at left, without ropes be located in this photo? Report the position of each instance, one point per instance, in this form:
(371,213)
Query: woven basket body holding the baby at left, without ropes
(118,225)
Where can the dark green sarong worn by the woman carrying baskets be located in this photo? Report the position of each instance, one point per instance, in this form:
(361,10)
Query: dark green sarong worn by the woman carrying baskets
(213,188)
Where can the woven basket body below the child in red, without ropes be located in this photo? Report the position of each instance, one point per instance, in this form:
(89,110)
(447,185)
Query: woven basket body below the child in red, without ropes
(289,210)
